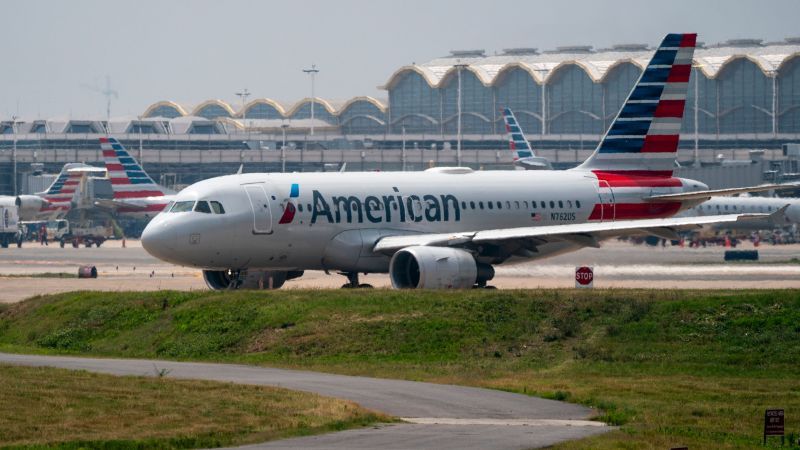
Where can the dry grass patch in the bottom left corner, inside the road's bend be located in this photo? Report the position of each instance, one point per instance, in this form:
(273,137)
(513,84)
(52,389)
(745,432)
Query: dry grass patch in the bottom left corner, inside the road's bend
(70,409)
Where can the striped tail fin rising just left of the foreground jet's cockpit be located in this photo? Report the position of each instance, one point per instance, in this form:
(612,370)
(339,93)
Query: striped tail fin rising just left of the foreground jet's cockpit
(128,179)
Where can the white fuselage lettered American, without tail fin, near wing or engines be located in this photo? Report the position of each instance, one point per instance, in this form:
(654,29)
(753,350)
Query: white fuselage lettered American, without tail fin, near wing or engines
(339,216)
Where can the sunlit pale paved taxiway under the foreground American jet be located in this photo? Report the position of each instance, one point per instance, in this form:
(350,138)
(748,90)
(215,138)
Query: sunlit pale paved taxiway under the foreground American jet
(617,264)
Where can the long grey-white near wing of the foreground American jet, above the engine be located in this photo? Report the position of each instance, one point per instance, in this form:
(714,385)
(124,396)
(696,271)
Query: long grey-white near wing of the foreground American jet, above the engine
(584,234)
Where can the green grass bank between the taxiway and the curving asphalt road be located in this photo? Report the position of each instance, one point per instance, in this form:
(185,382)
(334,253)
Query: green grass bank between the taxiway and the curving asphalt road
(672,368)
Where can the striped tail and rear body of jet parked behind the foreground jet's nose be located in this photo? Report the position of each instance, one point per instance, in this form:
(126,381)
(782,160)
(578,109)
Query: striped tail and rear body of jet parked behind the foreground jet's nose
(135,193)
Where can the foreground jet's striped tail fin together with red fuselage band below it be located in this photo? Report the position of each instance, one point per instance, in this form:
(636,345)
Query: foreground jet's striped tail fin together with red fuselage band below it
(639,150)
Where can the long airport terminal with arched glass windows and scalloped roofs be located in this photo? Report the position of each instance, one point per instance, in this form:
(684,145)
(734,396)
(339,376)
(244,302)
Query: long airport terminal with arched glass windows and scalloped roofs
(744,94)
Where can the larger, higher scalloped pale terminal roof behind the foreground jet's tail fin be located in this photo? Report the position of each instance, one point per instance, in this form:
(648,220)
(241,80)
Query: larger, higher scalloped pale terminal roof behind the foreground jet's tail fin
(597,64)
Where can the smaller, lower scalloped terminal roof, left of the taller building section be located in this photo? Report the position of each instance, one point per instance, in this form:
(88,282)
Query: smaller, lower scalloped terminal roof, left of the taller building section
(335,108)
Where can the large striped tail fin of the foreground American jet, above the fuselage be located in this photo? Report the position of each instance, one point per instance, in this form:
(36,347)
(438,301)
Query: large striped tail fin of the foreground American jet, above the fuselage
(643,139)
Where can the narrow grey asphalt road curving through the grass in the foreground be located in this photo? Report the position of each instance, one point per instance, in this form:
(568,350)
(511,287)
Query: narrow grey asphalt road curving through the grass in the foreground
(440,416)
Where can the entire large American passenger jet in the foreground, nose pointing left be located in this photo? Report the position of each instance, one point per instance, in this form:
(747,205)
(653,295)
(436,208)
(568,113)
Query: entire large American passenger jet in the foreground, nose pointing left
(445,227)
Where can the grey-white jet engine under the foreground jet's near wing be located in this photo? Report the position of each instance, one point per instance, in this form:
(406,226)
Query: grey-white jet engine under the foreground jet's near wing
(422,267)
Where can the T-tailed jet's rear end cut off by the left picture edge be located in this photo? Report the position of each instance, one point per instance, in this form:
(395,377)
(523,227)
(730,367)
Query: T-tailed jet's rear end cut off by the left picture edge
(57,200)
